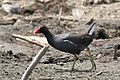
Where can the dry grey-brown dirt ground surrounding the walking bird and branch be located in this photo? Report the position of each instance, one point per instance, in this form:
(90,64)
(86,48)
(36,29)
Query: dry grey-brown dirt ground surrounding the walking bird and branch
(15,55)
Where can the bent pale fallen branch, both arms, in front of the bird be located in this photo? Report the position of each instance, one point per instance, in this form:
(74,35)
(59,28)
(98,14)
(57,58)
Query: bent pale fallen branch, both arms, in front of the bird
(38,41)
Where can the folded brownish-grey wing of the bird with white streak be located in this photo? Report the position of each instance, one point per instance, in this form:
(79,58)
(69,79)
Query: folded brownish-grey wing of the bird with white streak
(76,40)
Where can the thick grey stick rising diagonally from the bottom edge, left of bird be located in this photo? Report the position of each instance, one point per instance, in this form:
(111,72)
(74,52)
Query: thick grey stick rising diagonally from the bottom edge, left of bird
(34,62)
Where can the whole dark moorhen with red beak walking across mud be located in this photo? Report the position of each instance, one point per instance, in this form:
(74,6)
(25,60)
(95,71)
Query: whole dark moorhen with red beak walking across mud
(70,42)
